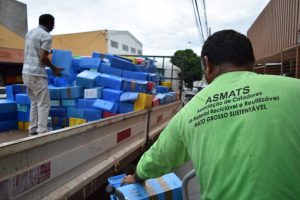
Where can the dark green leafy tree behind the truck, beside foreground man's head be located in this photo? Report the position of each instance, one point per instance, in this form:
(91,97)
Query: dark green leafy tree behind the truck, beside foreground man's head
(190,65)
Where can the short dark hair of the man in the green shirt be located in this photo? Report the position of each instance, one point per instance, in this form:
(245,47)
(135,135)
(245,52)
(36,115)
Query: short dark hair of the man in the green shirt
(228,47)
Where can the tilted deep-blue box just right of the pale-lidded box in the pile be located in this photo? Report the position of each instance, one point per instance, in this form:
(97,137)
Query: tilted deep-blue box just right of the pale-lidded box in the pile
(110,81)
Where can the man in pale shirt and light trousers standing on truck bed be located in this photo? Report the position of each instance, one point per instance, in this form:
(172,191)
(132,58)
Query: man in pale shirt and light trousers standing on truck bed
(37,48)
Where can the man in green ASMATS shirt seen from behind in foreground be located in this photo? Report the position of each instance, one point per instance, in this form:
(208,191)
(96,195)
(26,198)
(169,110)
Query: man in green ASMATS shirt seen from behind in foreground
(242,131)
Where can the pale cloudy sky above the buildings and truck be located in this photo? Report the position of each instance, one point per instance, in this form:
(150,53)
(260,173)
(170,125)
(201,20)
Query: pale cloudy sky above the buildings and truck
(162,26)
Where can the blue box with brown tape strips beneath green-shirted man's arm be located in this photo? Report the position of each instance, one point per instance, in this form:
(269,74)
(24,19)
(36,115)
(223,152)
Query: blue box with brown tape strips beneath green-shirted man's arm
(168,187)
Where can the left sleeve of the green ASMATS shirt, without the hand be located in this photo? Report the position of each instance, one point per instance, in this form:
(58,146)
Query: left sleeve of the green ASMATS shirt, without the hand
(166,154)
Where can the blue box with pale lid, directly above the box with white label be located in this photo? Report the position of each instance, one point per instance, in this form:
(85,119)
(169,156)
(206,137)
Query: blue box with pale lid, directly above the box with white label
(87,79)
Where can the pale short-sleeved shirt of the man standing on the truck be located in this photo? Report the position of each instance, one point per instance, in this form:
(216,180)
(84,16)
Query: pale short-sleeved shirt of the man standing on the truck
(36,39)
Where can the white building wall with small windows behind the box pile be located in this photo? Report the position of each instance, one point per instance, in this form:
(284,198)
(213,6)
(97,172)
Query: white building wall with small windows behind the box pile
(121,38)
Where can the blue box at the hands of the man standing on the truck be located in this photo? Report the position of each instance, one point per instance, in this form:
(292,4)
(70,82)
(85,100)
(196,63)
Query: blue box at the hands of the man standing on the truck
(63,59)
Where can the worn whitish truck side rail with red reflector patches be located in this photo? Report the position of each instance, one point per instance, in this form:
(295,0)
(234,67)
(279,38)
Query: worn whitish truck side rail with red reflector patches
(59,164)
